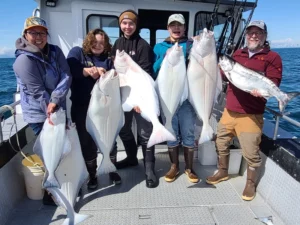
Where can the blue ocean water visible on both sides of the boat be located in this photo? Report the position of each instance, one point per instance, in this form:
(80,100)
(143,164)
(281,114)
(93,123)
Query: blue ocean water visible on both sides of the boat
(290,83)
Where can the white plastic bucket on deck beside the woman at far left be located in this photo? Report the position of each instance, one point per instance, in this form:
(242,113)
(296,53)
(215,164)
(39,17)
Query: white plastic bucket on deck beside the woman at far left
(33,176)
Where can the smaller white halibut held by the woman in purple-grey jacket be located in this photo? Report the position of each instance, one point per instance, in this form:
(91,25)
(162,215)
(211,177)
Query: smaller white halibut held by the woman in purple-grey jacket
(52,145)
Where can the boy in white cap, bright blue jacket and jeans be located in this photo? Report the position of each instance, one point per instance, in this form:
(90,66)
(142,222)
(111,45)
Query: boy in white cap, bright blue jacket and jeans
(185,117)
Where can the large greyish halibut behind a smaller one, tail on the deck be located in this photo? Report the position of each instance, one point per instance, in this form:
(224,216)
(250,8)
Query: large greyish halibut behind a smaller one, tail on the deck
(71,174)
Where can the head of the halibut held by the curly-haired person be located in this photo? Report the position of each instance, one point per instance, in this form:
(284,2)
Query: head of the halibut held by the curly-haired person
(109,82)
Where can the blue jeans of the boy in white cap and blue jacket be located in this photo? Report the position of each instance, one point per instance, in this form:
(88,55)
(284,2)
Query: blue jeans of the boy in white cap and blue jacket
(183,123)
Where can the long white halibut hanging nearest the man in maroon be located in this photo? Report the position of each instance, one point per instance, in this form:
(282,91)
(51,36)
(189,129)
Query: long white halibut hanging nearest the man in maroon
(204,80)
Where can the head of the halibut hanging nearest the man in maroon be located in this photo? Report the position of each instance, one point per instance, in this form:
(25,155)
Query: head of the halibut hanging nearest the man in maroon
(206,43)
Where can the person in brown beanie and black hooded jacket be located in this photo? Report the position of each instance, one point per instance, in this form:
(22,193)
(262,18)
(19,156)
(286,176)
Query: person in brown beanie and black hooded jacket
(141,52)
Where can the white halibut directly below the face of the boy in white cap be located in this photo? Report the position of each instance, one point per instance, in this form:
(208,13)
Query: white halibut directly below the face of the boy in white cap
(171,83)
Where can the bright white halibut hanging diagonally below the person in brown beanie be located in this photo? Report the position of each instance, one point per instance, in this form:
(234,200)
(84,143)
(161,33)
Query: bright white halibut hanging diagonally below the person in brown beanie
(138,89)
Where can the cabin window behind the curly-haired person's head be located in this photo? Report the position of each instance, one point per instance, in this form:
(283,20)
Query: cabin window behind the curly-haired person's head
(110,24)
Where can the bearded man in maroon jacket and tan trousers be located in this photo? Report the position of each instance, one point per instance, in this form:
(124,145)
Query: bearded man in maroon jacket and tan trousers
(243,113)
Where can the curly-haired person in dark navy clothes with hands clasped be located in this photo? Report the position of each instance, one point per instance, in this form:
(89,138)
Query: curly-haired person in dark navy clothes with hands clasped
(87,64)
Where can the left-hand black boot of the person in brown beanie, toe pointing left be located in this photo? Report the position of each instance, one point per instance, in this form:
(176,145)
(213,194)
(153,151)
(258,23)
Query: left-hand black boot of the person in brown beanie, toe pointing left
(131,152)
